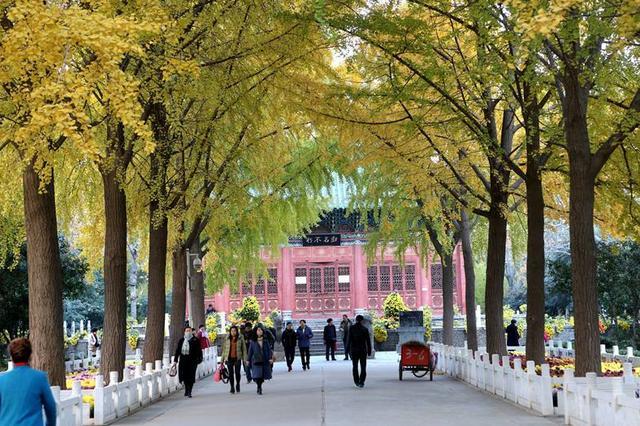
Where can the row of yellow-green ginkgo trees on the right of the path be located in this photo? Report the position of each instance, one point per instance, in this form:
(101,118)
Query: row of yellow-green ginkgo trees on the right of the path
(496,112)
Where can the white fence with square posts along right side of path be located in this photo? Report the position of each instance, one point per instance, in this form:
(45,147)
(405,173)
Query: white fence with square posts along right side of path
(609,401)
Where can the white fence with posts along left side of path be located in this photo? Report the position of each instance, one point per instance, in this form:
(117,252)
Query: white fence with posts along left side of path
(118,400)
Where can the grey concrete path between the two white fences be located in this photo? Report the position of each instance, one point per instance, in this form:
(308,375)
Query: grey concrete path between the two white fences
(325,395)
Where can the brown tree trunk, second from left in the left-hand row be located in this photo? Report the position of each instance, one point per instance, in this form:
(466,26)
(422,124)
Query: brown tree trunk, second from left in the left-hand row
(115,276)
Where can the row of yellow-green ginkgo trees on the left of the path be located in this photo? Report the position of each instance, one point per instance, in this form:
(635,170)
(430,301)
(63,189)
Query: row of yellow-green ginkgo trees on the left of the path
(174,123)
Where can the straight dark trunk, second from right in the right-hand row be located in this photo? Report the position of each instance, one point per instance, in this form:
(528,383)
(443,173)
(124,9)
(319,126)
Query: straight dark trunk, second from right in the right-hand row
(535,267)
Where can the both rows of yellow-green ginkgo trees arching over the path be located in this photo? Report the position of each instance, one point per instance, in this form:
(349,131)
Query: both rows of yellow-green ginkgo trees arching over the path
(208,127)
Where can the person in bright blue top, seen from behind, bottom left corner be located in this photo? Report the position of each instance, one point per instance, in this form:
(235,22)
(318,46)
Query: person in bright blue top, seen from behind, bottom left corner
(24,391)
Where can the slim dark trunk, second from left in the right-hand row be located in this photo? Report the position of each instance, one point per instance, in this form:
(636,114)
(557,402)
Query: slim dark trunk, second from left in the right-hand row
(470,281)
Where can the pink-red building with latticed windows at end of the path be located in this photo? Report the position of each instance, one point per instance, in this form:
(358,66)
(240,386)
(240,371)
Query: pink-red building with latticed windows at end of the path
(322,281)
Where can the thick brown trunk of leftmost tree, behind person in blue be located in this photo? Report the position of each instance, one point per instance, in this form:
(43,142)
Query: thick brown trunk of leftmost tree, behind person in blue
(45,277)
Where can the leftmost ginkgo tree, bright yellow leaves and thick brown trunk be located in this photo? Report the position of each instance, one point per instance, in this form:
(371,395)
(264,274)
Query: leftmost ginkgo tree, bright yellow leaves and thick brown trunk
(54,57)
